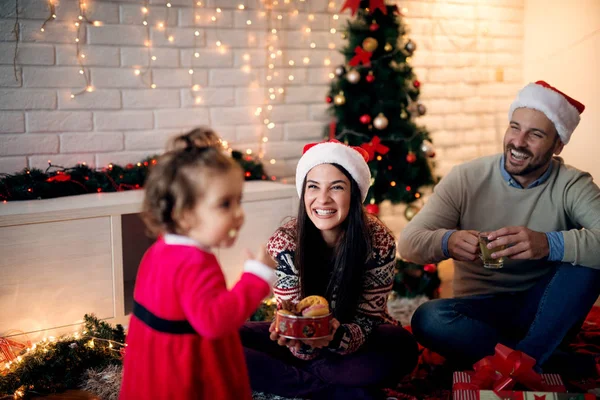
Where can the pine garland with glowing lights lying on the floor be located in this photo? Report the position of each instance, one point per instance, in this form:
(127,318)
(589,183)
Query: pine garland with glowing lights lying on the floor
(55,366)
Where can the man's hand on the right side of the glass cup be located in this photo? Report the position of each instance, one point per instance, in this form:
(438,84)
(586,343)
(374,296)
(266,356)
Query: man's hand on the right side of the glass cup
(522,243)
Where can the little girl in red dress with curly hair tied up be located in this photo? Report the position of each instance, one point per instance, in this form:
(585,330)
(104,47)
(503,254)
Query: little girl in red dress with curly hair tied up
(183,340)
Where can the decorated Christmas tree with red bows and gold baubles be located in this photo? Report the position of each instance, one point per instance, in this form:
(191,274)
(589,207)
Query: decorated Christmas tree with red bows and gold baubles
(374,99)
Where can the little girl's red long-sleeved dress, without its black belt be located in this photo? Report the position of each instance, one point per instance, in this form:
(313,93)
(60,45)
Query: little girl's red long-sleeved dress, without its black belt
(185,283)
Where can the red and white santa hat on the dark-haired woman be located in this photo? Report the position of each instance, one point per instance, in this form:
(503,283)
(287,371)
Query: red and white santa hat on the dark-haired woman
(353,159)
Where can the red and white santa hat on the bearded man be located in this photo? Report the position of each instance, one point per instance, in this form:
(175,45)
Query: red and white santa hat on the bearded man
(559,108)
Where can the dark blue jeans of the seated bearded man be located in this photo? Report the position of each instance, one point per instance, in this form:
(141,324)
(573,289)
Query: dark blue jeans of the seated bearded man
(534,321)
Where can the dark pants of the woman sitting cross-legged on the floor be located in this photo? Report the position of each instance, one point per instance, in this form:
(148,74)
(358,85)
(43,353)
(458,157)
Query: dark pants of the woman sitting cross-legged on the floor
(389,354)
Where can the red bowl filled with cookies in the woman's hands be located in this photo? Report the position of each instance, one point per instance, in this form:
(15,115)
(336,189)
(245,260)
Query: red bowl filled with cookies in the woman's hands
(307,320)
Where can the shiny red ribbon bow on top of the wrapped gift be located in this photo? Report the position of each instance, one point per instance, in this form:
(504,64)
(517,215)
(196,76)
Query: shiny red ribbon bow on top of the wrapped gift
(503,370)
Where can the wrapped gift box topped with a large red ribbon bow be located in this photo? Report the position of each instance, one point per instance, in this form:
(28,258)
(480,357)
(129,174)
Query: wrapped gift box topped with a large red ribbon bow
(495,376)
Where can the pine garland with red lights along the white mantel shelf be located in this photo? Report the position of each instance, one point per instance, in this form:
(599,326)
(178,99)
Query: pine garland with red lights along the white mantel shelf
(56,181)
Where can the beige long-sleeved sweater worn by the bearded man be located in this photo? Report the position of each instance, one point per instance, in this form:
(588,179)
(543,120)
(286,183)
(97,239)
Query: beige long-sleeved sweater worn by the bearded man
(475,196)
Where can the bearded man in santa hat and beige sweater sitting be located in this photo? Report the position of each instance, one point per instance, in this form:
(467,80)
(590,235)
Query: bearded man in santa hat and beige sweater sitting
(546,213)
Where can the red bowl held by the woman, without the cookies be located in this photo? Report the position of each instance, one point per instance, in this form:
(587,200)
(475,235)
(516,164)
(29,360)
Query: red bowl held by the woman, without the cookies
(305,328)
